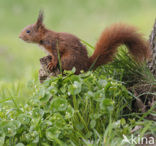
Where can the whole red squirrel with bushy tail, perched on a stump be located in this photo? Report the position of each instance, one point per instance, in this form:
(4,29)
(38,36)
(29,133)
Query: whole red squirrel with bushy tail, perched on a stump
(74,54)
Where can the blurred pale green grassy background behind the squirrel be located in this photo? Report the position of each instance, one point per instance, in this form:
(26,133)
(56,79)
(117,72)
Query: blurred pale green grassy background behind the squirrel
(84,18)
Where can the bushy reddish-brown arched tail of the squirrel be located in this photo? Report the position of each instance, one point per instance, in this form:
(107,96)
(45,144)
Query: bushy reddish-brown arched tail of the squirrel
(113,37)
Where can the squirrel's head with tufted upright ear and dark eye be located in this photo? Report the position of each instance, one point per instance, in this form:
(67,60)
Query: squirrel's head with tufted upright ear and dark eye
(33,33)
